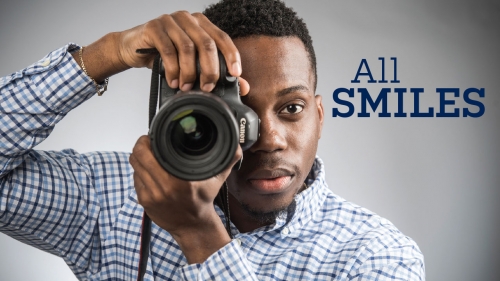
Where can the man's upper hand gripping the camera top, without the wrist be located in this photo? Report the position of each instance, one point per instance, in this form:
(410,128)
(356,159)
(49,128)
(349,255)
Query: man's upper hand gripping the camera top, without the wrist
(177,37)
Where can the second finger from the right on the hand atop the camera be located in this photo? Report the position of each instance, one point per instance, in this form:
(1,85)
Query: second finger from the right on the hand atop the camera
(206,47)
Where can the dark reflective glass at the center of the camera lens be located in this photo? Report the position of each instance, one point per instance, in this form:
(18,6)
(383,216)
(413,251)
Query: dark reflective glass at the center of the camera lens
(193,134)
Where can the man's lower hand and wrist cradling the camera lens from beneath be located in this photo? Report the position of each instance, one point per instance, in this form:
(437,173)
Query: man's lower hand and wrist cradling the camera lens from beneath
(185,209)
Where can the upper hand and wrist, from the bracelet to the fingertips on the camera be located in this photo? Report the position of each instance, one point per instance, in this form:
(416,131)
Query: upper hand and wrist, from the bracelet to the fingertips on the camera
(177,37)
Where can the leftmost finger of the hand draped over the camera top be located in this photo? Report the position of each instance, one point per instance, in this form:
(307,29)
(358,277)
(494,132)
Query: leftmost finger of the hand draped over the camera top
(156,30)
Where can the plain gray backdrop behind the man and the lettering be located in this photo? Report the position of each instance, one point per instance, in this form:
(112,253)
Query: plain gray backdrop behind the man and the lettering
(436,179)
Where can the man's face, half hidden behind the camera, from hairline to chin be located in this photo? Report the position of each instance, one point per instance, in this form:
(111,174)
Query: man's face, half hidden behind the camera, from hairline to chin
(282,94)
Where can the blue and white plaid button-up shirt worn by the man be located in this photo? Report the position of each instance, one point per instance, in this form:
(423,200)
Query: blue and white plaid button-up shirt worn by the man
(83,207)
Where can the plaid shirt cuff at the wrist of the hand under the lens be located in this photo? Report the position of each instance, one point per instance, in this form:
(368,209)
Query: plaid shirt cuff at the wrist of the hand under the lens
(229,263)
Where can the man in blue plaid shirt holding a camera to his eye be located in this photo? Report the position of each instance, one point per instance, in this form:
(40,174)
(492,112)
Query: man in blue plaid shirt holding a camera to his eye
(286,223)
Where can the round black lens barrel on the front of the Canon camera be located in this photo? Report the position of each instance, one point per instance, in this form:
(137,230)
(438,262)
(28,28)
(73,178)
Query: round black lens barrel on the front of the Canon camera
(194,135)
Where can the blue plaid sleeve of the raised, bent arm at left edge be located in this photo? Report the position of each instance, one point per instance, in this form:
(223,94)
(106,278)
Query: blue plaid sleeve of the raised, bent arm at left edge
(47,198)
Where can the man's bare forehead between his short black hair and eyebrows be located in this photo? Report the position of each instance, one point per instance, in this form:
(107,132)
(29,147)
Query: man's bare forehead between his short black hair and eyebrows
(271,64)
